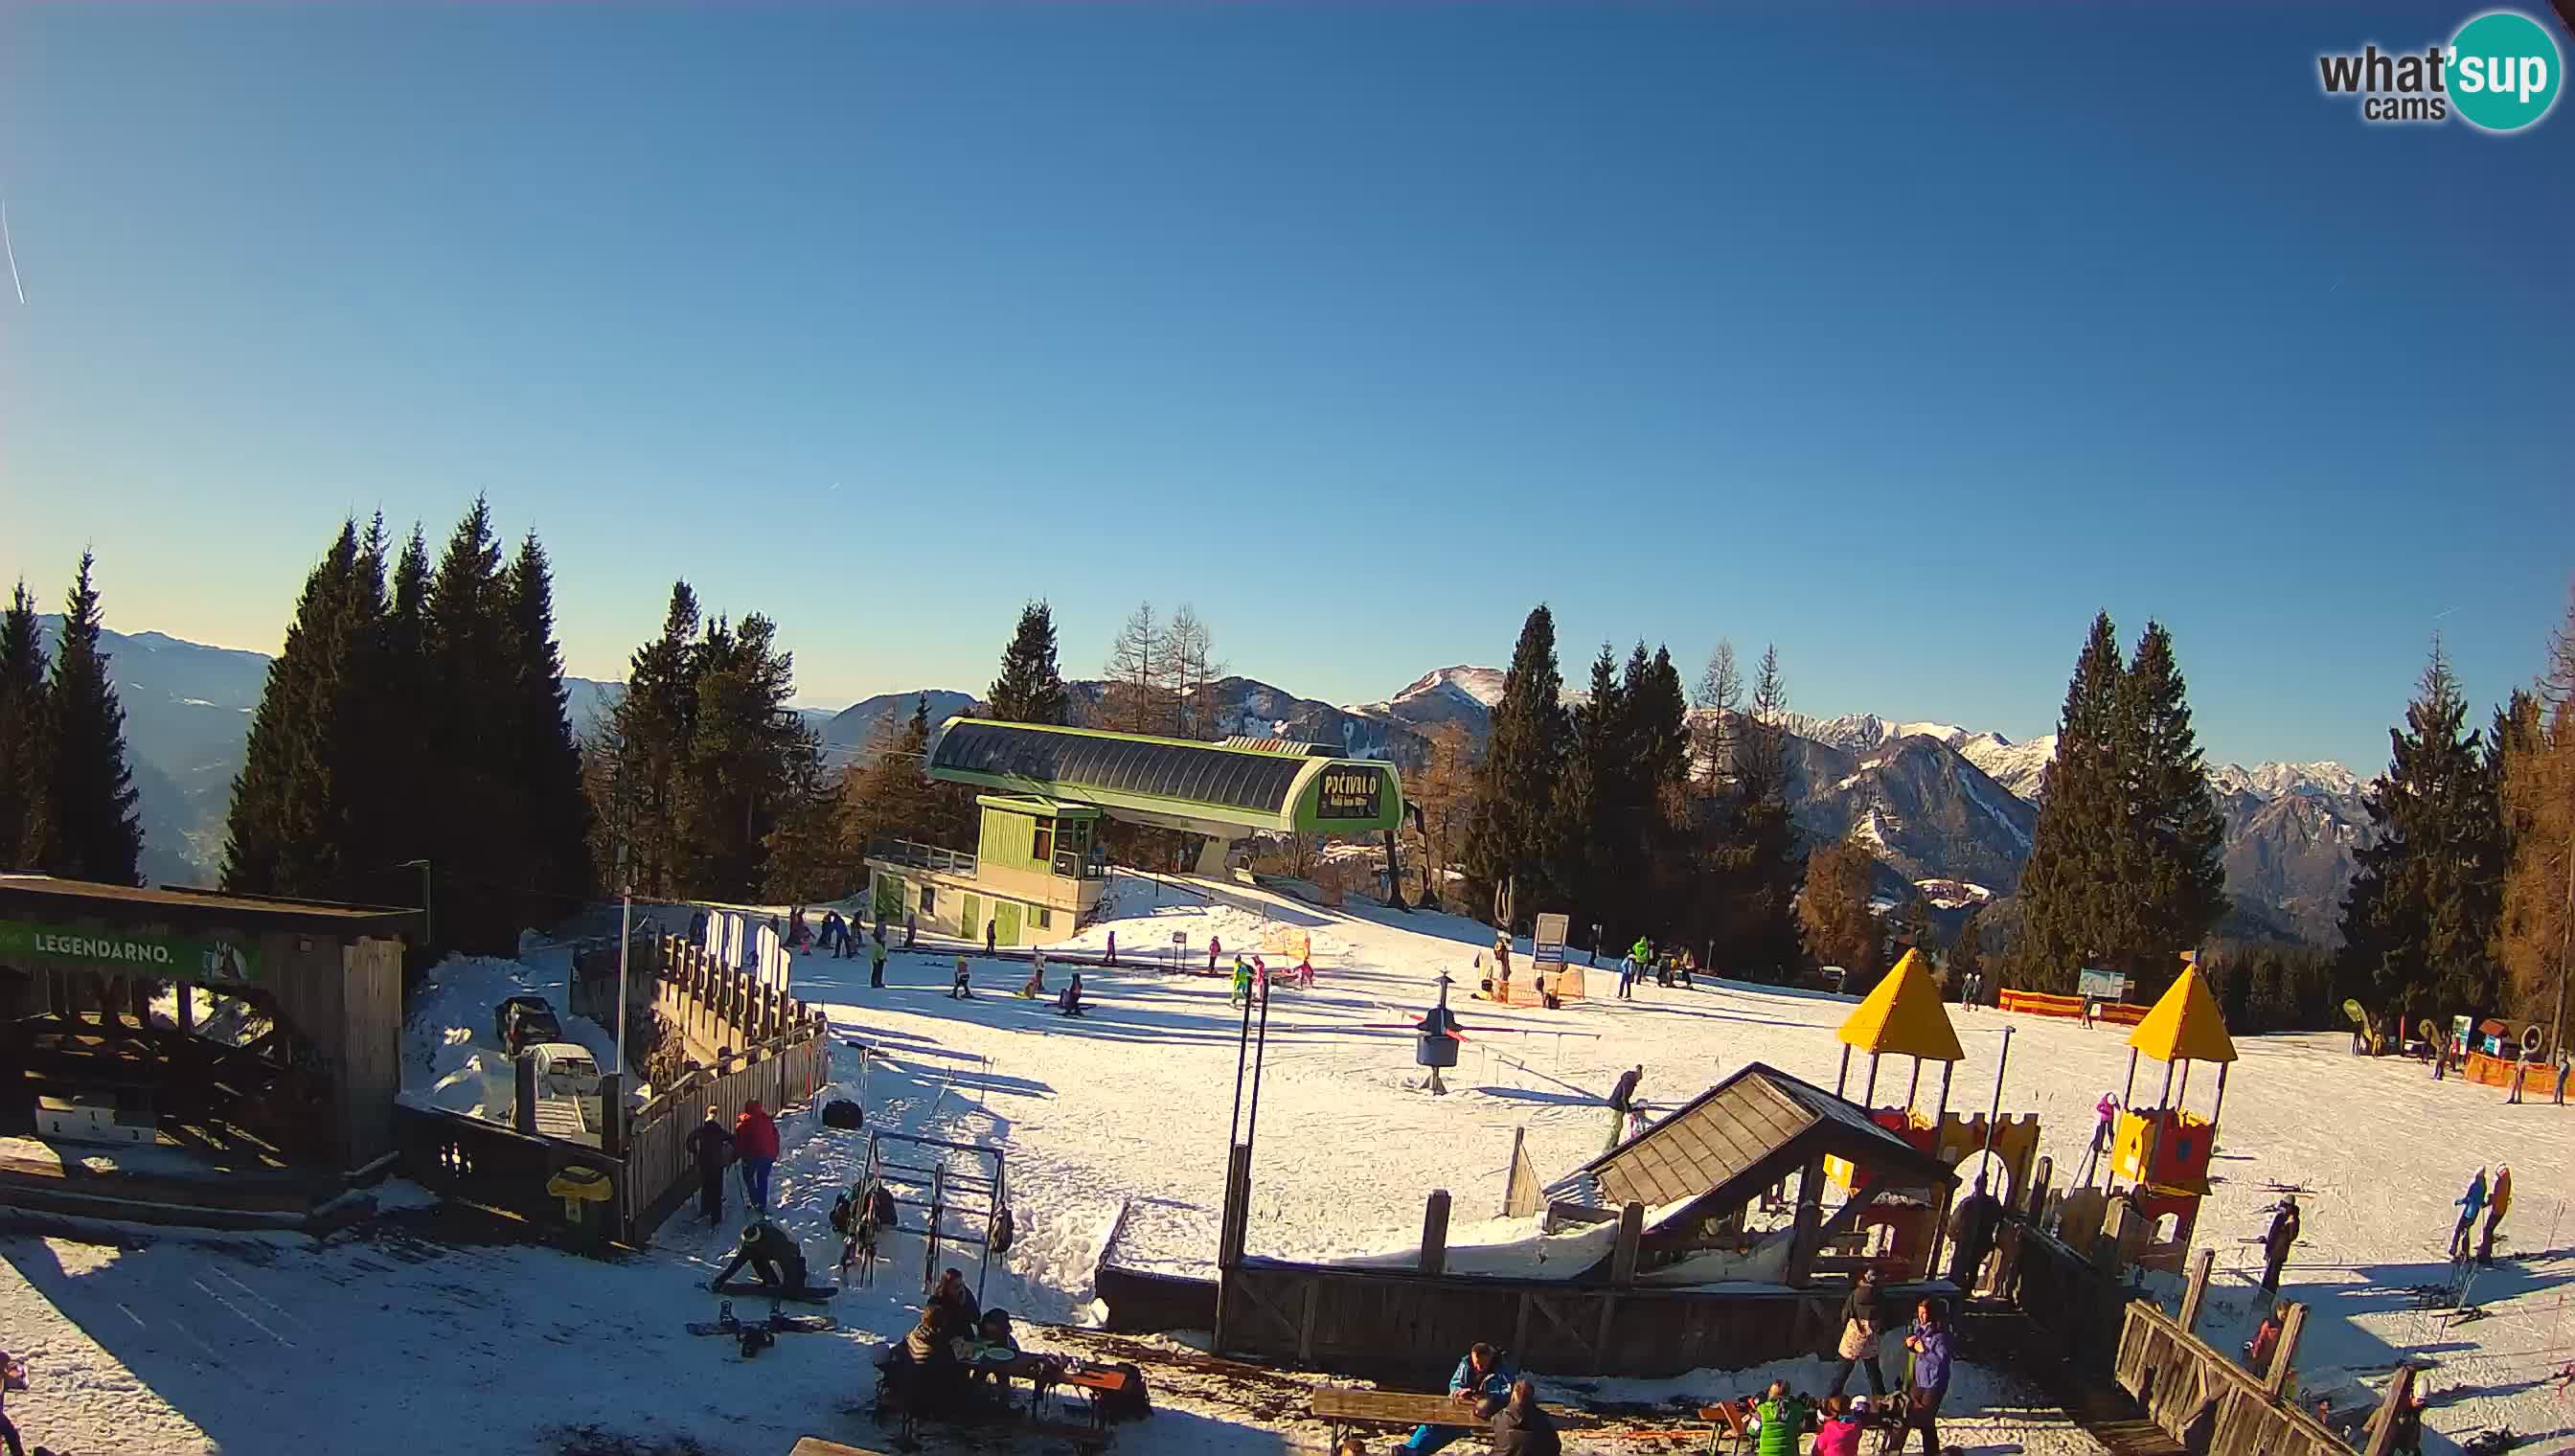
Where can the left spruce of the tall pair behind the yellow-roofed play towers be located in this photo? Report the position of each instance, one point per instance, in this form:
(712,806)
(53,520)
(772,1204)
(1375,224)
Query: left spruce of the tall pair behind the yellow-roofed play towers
(2077,859)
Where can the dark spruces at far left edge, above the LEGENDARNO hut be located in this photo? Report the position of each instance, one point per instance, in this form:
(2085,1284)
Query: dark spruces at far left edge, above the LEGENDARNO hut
(66,785)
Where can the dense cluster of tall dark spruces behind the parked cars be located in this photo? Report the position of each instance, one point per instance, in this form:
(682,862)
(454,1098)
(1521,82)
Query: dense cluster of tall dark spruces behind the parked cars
(413,738)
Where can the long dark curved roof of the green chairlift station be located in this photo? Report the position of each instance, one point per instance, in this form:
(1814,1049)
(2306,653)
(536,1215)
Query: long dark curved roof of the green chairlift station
(1165,769)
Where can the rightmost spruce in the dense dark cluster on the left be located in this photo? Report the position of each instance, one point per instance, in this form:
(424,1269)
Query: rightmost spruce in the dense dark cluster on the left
(547,777)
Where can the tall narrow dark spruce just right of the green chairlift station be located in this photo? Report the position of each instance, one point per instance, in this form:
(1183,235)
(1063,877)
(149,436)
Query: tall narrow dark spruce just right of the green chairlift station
(1515,787)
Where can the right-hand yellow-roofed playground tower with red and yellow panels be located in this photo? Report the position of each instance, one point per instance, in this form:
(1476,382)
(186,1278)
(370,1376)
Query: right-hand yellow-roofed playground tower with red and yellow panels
(2164,1151)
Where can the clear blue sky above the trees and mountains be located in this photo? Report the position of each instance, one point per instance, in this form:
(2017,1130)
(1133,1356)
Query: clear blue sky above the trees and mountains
(1904,341)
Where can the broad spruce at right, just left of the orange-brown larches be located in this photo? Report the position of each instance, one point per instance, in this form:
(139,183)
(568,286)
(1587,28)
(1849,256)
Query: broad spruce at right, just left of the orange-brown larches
(2427,888)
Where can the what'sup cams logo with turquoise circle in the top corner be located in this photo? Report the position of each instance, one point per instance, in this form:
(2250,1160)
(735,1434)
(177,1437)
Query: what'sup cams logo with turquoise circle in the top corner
(2499,73)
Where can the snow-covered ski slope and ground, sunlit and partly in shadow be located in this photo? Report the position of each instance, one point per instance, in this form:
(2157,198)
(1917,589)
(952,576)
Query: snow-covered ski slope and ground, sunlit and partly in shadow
(248,1346)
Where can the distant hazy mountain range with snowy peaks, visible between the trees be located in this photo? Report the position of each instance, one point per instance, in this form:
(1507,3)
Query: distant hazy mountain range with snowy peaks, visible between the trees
(1943,808)
